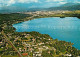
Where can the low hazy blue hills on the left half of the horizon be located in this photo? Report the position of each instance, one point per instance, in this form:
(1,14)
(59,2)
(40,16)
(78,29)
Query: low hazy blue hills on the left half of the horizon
(21,10)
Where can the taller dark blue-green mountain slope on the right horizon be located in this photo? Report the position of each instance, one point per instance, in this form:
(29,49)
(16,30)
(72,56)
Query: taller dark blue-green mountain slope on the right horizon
(68,6)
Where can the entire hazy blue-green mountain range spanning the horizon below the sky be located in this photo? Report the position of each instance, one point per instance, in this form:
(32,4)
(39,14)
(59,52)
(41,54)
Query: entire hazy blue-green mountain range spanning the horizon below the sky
(67,6)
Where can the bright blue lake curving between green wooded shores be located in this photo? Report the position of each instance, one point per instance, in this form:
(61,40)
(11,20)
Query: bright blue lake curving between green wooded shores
(66,29)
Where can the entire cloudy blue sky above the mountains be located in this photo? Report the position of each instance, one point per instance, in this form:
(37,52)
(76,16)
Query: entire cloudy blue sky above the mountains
(34,3)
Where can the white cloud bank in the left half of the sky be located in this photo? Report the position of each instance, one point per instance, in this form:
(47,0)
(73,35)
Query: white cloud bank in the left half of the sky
(10,2)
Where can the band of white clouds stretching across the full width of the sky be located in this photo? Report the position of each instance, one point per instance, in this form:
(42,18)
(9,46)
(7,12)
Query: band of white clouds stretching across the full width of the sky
(51,2)
